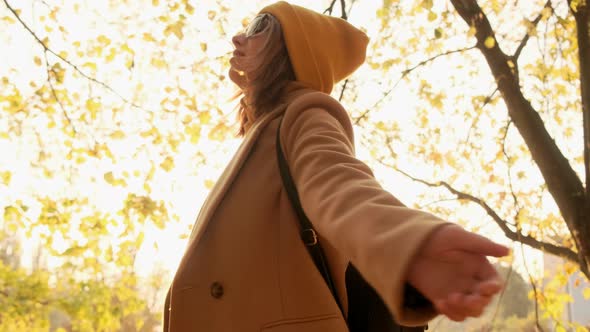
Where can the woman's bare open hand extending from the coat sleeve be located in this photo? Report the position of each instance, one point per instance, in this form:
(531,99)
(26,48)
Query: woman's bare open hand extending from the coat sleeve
(452,271)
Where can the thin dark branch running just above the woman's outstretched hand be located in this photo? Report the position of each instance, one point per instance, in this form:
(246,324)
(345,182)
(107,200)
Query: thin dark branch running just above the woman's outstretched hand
(503,224)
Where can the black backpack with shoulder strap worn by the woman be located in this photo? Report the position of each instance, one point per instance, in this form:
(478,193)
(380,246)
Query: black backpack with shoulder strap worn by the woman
(366,310)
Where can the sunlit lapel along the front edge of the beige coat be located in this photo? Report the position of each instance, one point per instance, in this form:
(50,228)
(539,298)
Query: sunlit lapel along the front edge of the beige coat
(224,182)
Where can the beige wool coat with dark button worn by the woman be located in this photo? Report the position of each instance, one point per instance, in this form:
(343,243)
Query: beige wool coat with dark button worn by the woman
(246,268)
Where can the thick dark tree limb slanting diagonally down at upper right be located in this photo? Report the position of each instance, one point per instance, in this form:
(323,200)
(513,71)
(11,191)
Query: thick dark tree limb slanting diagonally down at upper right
(562,181)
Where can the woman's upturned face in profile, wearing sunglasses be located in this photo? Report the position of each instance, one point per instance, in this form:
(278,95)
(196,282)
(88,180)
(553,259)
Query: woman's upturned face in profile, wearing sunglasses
(245,59)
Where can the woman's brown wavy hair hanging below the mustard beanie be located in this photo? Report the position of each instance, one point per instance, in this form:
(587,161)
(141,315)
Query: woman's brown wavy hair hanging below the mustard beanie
(265,90)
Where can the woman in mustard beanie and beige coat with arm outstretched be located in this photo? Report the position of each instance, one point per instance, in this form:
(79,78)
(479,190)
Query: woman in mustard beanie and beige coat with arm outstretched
(246,267)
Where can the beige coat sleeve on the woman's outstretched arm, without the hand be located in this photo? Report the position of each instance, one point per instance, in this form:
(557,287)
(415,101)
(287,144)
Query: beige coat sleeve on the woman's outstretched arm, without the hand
(350,209)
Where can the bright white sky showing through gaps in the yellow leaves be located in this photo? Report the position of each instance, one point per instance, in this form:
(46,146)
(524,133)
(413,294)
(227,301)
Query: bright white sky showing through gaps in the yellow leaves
(190,192)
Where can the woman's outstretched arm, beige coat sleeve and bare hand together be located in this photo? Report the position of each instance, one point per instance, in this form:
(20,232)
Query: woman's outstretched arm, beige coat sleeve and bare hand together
(389,243)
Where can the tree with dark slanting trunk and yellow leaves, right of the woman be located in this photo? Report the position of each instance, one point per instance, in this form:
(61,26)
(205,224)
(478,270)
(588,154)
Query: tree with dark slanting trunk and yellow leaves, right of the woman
(537,87)
